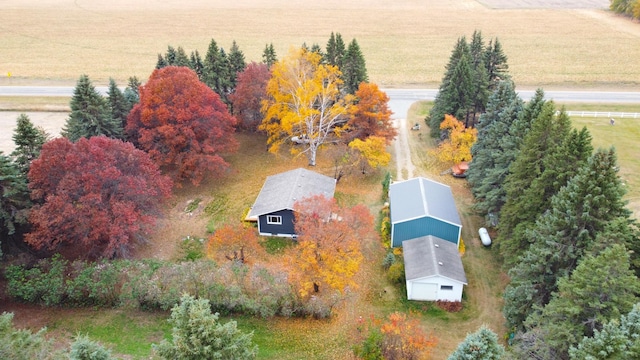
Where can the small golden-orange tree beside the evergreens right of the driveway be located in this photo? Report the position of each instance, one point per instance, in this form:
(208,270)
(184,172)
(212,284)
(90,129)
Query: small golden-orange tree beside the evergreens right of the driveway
(457,146)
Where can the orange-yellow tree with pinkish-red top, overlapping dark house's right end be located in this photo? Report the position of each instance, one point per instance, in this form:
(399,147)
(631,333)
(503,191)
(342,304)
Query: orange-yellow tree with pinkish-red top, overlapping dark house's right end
(329,249)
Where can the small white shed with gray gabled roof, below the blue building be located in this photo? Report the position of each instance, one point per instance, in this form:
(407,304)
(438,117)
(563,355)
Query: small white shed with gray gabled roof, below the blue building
(433,269)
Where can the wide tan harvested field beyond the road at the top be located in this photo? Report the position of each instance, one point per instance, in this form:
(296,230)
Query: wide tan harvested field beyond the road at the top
(405,42)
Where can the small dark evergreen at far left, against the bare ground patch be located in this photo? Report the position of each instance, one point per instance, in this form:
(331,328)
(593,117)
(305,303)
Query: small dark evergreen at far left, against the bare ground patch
(29,140)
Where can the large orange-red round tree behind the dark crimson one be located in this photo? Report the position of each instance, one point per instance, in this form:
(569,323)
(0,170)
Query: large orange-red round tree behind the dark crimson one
(182,124)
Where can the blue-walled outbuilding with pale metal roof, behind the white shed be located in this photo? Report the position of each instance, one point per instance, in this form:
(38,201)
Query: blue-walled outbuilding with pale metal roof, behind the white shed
(421,207)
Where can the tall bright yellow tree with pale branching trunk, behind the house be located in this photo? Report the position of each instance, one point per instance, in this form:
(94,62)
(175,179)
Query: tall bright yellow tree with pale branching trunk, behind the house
(304,100)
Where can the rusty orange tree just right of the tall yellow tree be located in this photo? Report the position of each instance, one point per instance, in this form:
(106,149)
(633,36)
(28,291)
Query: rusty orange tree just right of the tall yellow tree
(371,115)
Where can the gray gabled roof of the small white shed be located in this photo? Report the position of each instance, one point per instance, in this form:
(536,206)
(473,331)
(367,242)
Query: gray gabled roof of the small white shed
(423,256)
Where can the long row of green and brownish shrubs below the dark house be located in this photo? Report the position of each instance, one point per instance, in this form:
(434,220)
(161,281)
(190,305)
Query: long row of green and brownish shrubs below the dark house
(231,287)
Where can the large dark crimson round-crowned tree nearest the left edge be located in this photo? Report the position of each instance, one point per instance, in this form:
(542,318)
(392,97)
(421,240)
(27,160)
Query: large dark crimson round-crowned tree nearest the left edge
(98,195)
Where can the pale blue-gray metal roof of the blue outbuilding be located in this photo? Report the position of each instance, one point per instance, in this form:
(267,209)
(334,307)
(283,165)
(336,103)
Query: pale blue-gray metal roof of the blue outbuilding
(420,197)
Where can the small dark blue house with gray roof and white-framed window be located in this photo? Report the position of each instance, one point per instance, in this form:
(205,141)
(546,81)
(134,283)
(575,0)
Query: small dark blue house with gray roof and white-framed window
(273,209)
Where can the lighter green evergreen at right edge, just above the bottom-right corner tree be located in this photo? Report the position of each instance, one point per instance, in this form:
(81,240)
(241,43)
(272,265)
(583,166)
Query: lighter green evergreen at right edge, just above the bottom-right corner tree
(602,288)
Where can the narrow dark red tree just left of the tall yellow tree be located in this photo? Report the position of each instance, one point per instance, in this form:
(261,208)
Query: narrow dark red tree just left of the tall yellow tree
(247,99)
